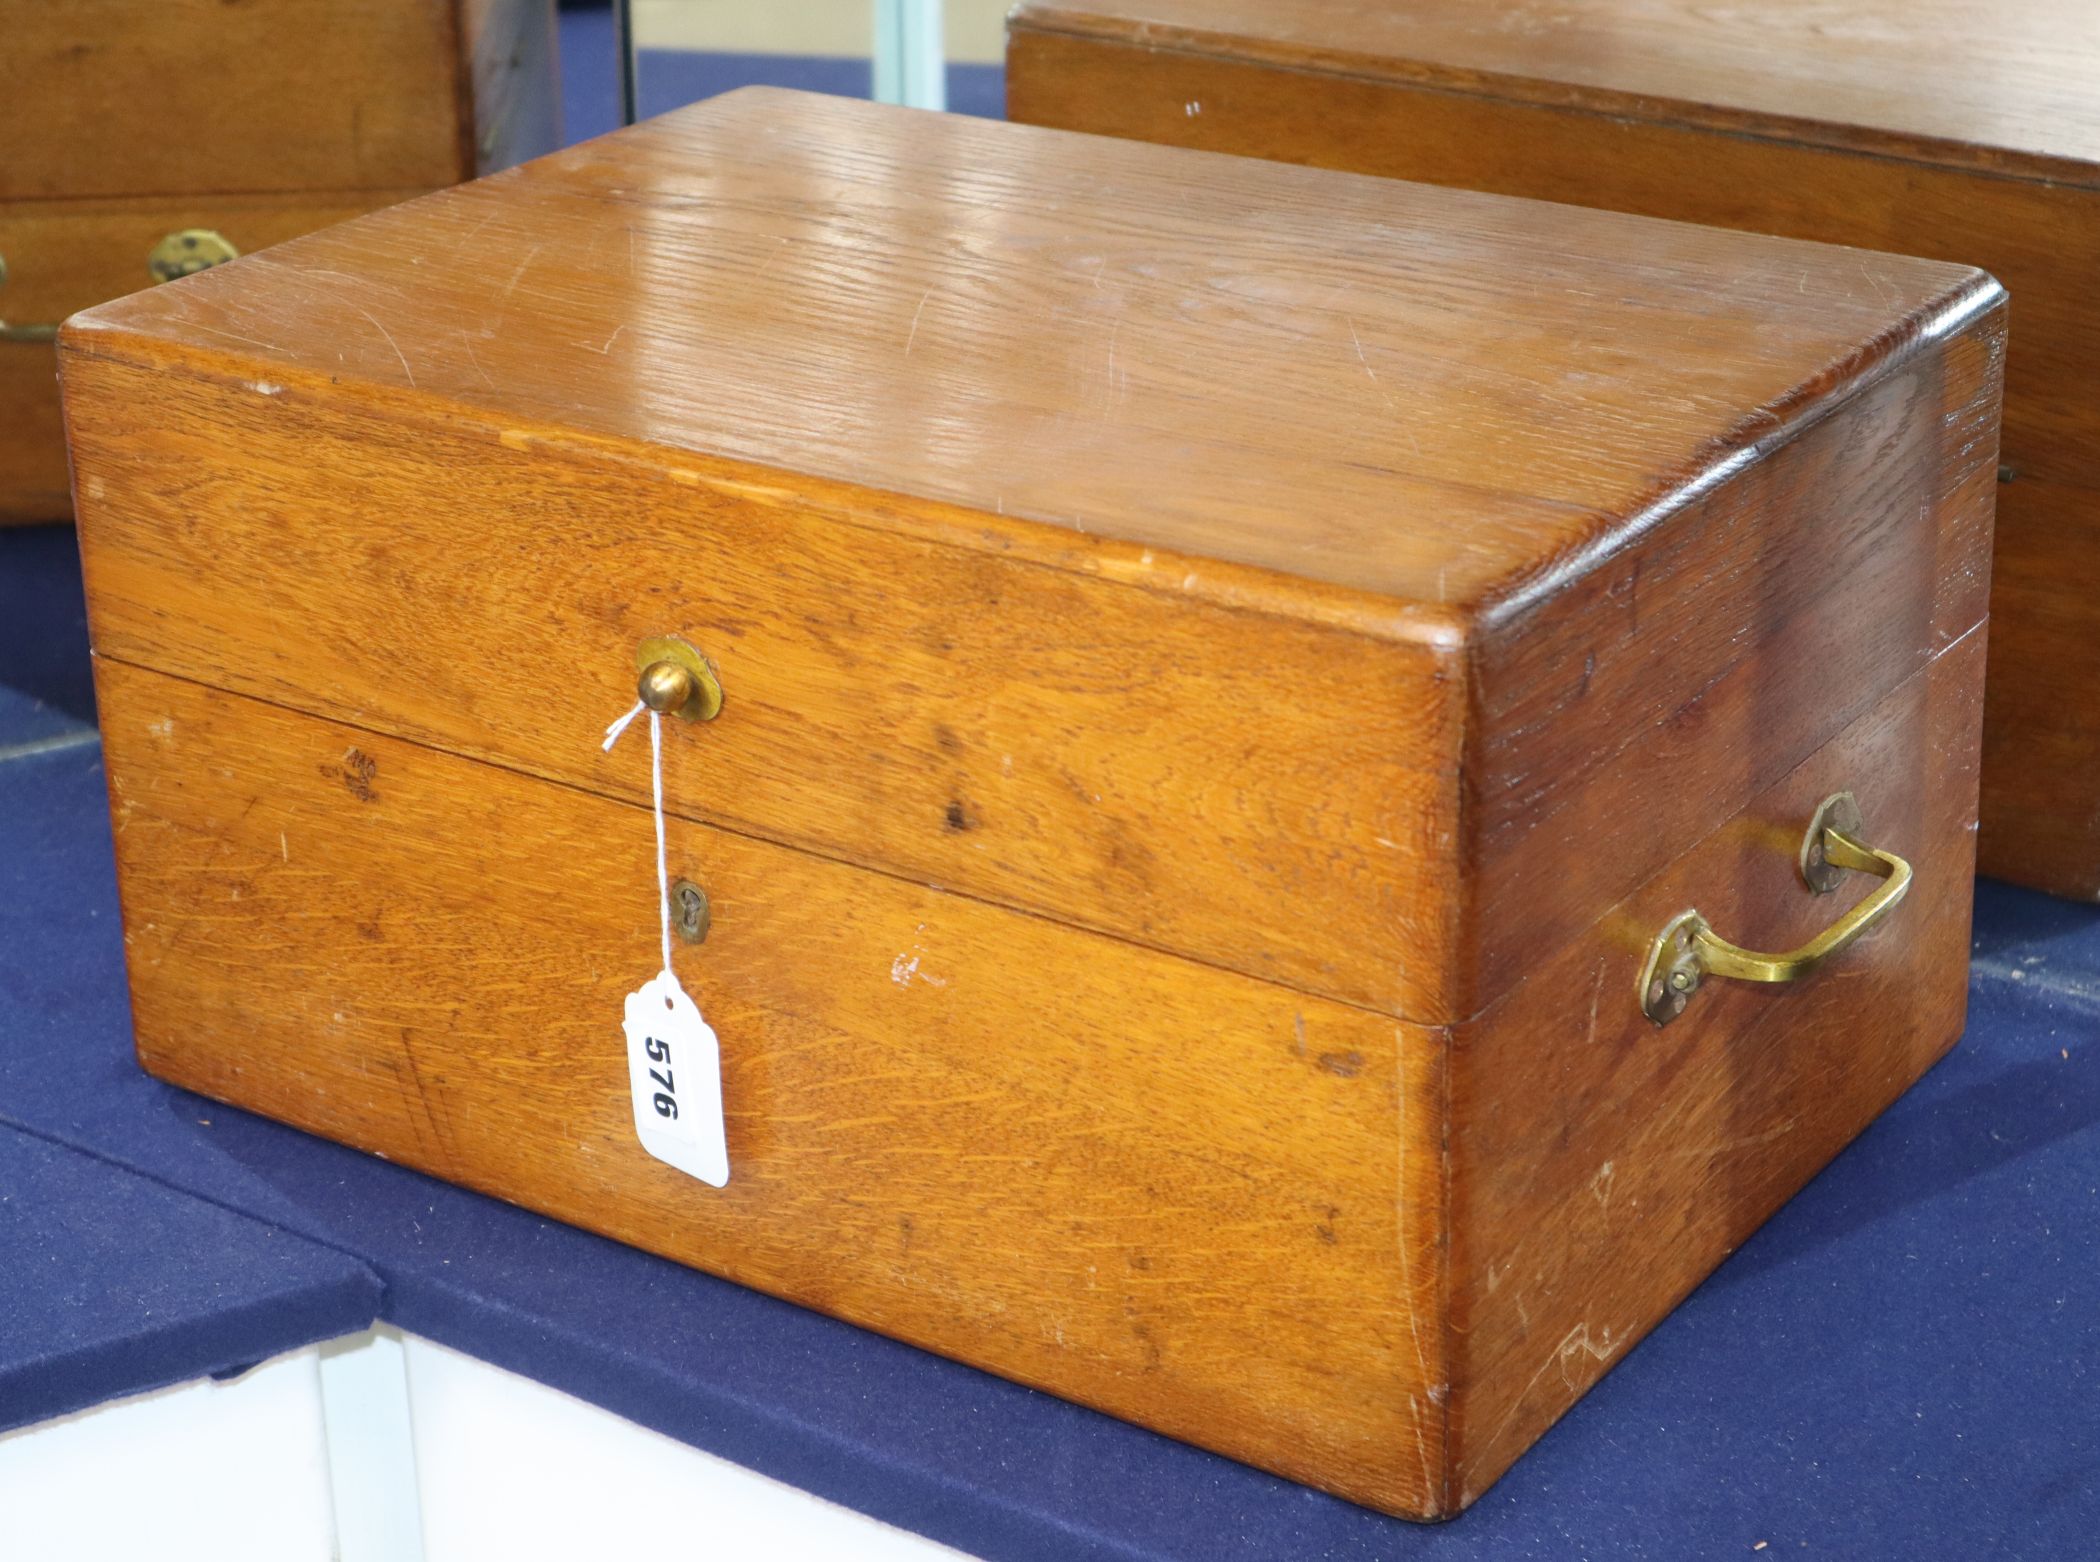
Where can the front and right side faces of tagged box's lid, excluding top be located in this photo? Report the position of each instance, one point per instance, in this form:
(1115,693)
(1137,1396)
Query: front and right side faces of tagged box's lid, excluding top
(1122,782)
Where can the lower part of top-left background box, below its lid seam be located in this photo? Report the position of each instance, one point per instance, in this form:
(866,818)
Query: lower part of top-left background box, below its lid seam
(64,257)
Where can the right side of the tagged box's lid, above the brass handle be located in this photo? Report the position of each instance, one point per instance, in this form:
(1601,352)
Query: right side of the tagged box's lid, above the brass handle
(1641,704)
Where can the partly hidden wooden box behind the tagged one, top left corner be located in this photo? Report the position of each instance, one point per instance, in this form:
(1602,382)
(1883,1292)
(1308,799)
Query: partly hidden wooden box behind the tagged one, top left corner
(148,138)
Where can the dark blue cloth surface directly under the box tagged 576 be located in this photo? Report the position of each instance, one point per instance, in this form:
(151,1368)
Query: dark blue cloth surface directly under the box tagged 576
(1904,1364)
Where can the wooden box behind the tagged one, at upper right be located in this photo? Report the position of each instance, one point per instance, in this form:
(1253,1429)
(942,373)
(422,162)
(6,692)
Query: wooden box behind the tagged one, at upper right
(1954,129)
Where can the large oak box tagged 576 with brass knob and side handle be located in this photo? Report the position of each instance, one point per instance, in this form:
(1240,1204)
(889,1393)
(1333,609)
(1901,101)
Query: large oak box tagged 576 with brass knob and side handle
(1227,669)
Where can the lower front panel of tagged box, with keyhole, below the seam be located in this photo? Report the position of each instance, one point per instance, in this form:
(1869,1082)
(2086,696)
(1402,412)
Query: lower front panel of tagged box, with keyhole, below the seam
(1181,1196)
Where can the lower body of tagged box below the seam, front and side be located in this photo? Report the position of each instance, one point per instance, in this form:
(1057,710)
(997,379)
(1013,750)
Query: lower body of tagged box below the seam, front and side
(400,944)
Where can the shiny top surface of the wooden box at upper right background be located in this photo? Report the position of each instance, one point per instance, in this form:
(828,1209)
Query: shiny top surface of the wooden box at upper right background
(1994,85)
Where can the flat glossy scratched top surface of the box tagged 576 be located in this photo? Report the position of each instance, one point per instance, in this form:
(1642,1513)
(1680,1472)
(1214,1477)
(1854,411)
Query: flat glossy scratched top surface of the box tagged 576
(1416,396)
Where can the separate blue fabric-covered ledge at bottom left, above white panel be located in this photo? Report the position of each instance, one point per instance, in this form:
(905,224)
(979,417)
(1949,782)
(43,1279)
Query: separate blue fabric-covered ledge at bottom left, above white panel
(112,1284)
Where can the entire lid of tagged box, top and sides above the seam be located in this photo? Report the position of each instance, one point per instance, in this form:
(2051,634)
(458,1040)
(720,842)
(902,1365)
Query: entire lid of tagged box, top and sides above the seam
(898,404)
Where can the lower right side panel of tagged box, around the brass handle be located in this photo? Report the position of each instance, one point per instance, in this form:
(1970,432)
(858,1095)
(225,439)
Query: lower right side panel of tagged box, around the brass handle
(1605,1166)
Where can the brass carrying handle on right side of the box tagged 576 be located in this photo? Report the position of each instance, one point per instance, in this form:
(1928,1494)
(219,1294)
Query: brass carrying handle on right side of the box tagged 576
(1687,950)
